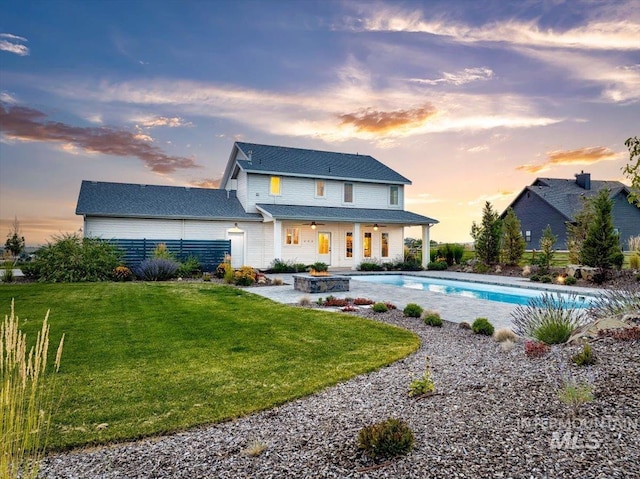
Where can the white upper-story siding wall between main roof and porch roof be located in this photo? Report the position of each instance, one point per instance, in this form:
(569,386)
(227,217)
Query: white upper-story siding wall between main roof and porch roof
(301,191)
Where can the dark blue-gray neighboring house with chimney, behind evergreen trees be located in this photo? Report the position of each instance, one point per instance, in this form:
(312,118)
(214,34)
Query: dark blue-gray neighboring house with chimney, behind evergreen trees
(555,202)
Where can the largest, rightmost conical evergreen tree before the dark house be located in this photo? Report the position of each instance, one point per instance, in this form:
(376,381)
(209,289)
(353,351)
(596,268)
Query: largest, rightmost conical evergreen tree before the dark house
(601,247)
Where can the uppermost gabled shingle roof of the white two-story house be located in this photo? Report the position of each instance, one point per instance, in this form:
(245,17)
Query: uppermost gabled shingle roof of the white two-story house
(286,161)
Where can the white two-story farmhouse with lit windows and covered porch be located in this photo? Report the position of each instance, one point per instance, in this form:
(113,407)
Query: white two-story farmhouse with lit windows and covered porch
(274,202)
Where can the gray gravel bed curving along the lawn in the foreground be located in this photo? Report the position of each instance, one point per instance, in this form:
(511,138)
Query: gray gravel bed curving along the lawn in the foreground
(495,414)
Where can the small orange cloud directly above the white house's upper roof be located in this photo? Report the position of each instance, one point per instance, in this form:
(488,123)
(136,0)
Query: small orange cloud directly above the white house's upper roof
(373,121)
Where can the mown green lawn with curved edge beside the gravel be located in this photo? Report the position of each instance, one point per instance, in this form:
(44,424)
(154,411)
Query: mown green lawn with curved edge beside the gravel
(143,359)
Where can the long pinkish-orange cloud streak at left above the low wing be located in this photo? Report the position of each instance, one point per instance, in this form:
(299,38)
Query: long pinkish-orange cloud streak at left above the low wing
(28,124)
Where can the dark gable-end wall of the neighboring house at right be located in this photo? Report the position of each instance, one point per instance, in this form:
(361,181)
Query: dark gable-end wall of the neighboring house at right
(534,215)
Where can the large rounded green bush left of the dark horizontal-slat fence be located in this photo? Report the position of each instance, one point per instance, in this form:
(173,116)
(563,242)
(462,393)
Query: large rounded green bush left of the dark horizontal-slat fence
(70,258)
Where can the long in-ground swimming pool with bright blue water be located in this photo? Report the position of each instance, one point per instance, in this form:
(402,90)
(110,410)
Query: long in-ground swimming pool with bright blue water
(491,292)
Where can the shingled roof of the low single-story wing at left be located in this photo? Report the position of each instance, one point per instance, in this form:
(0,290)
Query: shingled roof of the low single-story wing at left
(151,201)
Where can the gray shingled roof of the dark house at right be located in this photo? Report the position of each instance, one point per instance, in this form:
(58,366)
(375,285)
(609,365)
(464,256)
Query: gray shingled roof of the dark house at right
(565,194)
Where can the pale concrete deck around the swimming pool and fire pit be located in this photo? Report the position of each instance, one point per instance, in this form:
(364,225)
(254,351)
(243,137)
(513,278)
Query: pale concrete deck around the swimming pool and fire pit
(451,308)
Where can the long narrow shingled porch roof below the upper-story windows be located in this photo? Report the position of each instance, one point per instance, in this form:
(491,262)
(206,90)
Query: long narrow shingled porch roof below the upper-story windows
(356,215)
